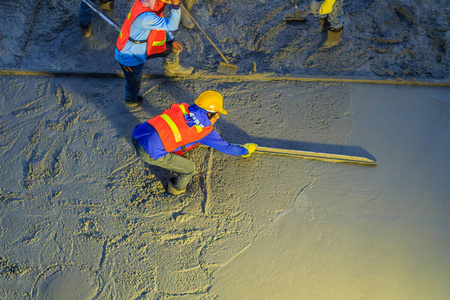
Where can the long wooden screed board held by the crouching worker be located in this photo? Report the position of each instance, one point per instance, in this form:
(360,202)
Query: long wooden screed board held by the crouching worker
(329,157)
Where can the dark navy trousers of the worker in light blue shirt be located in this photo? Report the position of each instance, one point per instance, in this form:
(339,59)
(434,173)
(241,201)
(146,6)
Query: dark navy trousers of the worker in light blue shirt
(133,76)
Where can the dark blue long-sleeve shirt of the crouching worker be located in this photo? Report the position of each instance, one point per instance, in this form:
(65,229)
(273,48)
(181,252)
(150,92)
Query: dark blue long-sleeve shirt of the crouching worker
(148,137)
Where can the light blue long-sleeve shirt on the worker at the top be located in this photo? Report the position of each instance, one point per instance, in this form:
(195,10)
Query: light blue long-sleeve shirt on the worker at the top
(134,54)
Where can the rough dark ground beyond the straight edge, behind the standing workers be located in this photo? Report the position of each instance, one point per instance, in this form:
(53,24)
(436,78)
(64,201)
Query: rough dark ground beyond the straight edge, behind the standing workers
(395,39)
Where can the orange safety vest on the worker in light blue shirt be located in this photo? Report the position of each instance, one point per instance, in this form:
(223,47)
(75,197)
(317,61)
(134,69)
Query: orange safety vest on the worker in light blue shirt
(156,40)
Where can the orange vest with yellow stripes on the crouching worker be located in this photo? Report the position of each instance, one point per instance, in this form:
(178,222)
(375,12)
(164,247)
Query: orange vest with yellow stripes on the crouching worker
(173,130)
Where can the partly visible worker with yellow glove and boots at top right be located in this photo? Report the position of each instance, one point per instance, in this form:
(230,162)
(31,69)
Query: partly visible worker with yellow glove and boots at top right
(331,17)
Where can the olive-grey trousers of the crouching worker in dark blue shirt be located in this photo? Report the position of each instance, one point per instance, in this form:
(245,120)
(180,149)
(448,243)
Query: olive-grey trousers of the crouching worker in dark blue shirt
(171,161)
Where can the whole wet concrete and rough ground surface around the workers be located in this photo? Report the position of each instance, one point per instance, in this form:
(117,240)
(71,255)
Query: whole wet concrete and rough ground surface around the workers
(81,217)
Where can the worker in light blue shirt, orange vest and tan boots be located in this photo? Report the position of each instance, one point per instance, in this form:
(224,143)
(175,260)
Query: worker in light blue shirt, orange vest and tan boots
(146,34)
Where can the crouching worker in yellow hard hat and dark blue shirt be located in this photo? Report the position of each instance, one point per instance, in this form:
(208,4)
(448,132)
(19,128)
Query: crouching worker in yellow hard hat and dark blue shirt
(163,139)
